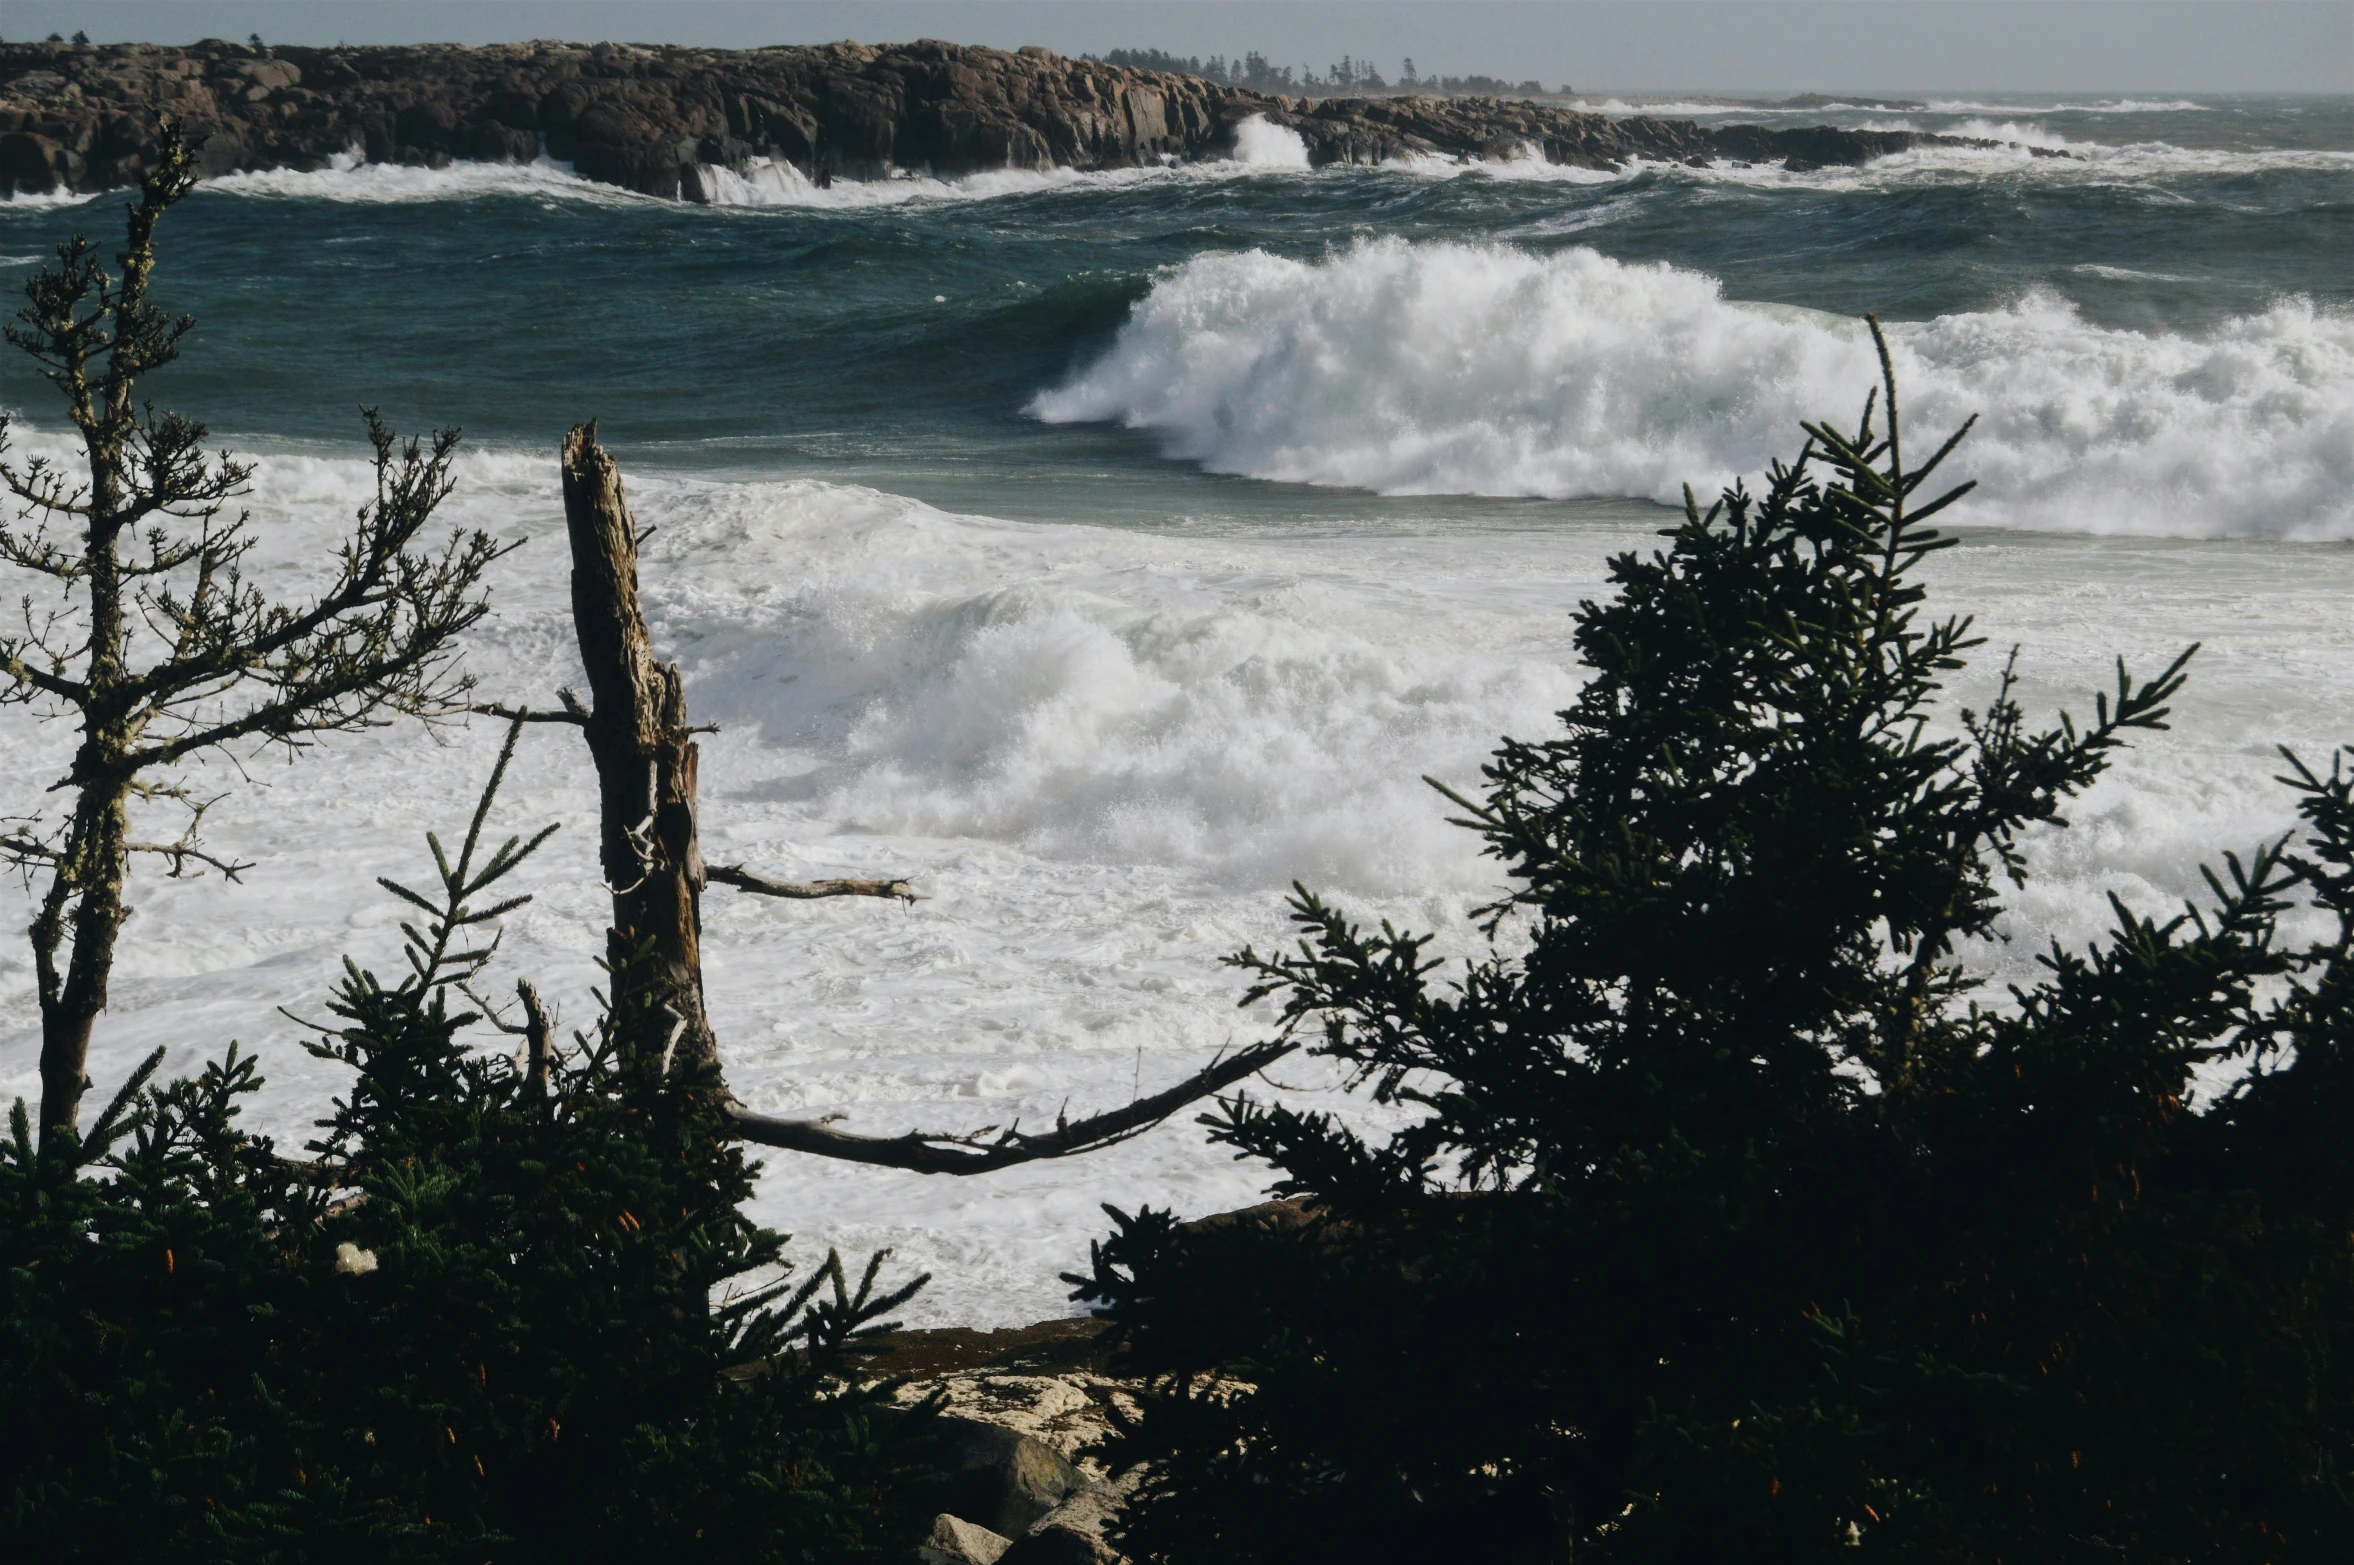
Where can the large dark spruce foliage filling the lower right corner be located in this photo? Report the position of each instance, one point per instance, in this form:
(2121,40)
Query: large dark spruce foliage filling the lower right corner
(1743,1223)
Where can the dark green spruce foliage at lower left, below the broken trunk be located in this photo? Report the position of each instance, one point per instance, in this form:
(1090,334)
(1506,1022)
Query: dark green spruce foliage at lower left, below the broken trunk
(528,1324)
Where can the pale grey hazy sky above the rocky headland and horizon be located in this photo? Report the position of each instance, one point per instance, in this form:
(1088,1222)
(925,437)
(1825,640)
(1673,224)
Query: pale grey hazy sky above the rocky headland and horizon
(1889,46)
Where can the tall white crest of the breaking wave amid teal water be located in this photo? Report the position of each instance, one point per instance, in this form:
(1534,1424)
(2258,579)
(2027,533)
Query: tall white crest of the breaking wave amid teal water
(1489,371)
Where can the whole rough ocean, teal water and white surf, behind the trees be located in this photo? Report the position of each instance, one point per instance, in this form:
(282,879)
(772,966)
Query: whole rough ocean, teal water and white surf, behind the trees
(1110,552)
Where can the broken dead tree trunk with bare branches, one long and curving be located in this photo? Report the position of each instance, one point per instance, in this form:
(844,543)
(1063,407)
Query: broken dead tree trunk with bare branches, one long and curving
(653,863)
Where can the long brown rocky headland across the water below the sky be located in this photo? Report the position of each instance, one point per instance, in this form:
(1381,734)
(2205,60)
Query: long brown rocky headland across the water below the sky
(665,121)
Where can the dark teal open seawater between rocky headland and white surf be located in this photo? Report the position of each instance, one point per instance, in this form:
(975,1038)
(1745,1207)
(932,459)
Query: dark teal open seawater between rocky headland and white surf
(900,335)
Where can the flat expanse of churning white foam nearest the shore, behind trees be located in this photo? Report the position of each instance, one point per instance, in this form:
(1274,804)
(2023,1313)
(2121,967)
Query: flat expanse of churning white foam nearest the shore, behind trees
(1100,754)
